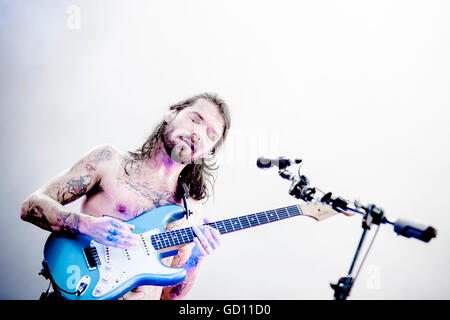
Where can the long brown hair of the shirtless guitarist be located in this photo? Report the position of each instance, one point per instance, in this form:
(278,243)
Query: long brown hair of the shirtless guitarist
(198,175)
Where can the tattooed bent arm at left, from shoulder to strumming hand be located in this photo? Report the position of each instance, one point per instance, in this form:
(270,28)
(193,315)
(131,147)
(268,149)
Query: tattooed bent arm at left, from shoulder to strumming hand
(45,207)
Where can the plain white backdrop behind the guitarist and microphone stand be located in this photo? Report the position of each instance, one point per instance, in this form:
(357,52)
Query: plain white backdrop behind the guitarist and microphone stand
(358,89)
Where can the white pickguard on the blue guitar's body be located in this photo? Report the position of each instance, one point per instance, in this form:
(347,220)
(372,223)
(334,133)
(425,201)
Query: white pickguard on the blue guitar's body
(119,265)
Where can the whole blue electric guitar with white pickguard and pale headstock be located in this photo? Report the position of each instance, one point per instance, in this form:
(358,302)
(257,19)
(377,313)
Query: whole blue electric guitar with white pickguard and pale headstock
(83,269)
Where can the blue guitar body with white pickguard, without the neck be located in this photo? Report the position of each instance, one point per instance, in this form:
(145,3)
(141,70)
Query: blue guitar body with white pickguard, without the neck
(97,272)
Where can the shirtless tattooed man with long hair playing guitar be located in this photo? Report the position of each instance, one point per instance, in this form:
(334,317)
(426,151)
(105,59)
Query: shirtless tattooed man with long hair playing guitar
(124,185)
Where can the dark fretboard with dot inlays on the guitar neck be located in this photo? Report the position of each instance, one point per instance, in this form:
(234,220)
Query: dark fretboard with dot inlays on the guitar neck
(186,235)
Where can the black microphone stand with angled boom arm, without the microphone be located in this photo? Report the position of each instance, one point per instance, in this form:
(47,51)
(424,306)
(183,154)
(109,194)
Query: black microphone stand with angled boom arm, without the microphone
(372,215)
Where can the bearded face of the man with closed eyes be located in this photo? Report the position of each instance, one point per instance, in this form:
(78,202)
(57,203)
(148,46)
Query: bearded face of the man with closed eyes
(193,132)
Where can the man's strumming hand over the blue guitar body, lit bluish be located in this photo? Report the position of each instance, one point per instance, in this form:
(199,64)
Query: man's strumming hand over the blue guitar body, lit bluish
(109,231)
